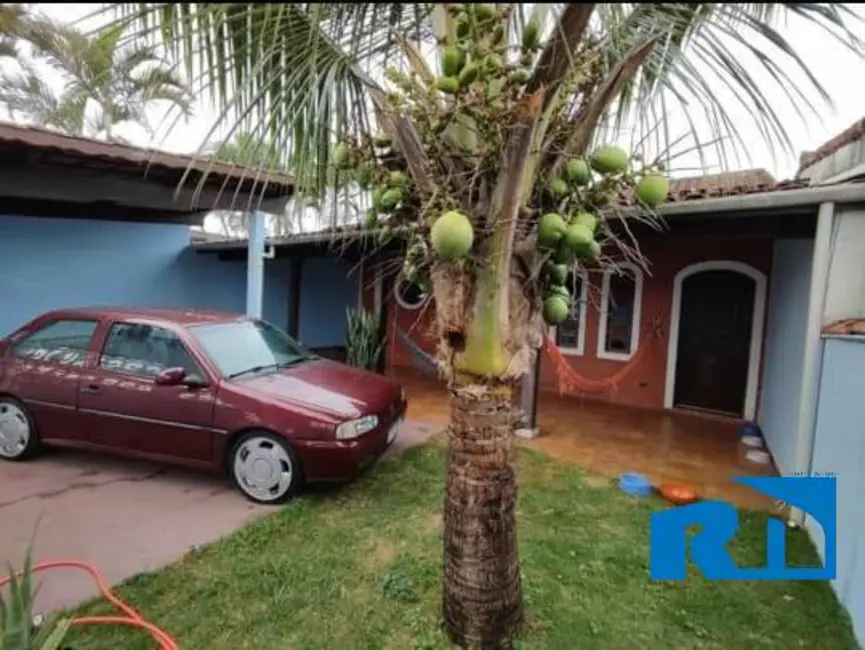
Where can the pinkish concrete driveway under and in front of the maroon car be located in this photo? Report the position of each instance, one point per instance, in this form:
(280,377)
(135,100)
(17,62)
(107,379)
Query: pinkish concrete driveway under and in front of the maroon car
(124,517)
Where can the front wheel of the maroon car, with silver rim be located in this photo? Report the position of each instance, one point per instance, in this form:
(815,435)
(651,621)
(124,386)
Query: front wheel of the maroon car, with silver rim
(265,468)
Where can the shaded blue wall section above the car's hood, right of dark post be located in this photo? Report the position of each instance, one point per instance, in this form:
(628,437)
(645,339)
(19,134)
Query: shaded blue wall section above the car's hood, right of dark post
(328,288)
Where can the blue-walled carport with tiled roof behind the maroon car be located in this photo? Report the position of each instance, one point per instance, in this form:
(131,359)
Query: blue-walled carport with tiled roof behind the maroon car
(84,222)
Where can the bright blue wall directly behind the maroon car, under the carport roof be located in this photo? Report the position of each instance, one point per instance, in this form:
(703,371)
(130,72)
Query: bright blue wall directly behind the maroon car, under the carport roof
(53,263)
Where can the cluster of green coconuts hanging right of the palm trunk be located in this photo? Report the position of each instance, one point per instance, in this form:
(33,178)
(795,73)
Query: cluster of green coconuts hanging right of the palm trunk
(569,236)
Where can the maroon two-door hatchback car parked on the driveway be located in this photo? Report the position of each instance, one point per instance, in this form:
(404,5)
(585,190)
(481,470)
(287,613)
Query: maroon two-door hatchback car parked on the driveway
(202,389)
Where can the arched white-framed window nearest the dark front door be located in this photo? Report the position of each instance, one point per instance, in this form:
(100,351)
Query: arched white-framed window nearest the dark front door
(619,324)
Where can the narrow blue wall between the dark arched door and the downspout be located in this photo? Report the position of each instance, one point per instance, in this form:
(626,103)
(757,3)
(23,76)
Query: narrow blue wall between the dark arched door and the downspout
(784,348)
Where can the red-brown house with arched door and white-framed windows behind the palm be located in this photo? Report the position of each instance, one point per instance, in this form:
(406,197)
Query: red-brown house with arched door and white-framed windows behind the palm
(725,321)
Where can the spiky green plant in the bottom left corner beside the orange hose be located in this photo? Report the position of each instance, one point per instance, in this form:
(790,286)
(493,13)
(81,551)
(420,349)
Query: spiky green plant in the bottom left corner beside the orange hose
(17,629)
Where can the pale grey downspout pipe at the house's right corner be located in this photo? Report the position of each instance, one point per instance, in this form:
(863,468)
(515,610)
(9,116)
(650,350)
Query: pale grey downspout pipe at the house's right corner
(812,364)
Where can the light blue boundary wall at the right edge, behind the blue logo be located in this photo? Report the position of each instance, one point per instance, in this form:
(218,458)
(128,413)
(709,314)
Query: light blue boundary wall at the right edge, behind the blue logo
(839,447)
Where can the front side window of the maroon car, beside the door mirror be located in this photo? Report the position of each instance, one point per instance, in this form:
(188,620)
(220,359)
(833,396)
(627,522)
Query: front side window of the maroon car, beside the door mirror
(145,351)
